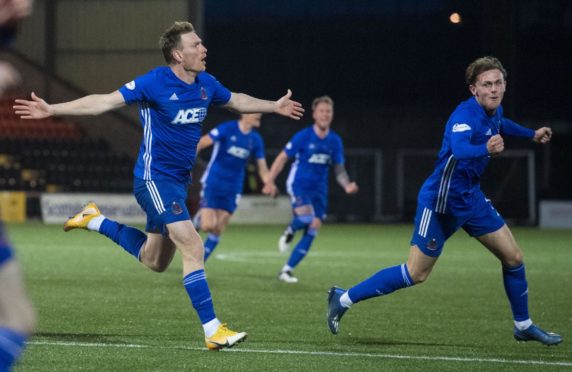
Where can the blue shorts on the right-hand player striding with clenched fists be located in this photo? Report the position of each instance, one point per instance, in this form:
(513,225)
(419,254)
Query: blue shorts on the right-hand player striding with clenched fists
(433,229)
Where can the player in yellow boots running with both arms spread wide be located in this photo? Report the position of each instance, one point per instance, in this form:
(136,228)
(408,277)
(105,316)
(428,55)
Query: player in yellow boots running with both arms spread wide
(173,102)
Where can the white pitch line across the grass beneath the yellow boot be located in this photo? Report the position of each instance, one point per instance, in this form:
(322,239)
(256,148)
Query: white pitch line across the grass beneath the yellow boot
(319,353)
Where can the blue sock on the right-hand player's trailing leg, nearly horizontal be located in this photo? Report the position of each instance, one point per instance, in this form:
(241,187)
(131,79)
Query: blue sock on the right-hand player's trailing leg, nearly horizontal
(381,283)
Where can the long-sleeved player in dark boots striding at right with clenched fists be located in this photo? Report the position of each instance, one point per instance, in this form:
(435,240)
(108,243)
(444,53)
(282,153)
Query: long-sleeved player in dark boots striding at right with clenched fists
(451,198)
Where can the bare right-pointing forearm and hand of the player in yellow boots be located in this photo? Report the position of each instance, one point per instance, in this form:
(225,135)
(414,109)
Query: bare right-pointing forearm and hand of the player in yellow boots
(245,104)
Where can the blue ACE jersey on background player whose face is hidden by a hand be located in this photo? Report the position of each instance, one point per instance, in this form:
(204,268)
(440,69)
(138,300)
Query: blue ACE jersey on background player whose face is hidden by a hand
(231,151)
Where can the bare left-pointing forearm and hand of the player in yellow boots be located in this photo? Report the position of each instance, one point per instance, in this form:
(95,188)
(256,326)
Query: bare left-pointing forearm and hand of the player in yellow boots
(94,104)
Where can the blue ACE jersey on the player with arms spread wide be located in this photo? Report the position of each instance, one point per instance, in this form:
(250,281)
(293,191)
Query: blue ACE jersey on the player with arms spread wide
(171,113)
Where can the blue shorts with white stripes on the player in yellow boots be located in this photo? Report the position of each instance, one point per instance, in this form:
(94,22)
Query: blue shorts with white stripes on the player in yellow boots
(162,201)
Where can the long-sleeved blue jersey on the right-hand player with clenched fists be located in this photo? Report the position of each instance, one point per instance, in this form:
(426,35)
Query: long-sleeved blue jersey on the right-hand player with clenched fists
(464,157)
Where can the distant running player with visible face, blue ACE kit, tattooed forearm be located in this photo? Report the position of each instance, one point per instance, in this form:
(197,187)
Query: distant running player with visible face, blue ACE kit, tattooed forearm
(315,149)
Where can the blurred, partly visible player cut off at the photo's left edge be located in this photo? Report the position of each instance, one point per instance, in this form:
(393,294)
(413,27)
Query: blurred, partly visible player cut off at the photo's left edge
(17,316)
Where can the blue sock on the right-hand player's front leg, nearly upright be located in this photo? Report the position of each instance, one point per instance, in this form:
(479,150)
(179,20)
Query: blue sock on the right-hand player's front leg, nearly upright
(516,288)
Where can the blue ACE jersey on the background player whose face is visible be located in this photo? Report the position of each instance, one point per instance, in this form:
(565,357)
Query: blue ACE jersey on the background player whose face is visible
(313,158)
